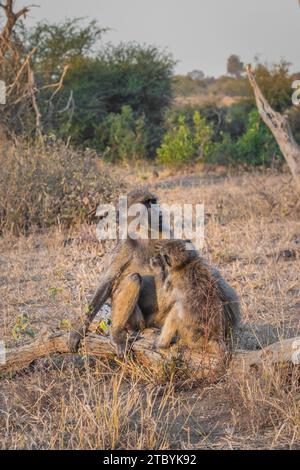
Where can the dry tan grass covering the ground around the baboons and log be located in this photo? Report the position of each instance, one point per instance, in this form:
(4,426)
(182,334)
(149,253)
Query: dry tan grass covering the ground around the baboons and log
(253,235)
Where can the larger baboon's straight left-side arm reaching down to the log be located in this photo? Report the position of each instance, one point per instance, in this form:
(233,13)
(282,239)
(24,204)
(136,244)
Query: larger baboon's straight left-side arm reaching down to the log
(115,263)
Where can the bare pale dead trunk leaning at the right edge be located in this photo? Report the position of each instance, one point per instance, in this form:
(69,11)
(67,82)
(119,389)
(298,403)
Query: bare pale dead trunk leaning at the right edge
(280,128)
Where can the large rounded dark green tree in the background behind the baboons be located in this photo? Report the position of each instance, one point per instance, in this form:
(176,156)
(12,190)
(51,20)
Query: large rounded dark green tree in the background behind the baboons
(133,75)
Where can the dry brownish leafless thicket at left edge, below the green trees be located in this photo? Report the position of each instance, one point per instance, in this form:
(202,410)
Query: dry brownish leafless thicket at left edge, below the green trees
(50,183)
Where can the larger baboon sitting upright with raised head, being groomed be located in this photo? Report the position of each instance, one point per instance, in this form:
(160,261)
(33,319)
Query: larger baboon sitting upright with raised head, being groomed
(136,293)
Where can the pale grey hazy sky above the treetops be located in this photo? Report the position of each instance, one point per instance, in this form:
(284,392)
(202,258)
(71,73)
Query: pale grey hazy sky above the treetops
(200,34)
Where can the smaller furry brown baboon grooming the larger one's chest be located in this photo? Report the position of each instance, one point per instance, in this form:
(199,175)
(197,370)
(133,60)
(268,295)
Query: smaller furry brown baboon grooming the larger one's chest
(198,315)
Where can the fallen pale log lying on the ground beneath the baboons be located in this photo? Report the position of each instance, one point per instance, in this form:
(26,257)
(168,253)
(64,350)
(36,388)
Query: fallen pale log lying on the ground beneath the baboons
(210,360)
